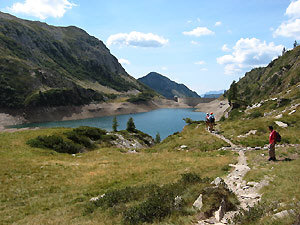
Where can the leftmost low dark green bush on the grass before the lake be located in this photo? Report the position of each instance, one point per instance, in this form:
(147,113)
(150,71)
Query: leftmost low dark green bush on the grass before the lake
(56,143)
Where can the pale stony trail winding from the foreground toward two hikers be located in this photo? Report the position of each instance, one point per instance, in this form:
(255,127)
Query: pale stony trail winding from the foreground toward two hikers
(247,193)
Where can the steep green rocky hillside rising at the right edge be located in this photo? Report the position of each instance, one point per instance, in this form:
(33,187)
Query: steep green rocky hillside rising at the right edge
(282,74)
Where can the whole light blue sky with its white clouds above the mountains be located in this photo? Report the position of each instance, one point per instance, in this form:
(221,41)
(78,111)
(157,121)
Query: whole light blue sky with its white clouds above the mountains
(205,44)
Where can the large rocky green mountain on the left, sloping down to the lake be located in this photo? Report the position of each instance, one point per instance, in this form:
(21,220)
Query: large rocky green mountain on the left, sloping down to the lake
(43,65)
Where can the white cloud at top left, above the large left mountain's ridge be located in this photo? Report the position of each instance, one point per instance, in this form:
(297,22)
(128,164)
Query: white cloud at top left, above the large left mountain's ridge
(42,8)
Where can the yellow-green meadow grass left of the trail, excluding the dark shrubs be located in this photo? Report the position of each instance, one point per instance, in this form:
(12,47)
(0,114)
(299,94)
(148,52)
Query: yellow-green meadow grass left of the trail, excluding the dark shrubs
(41,186)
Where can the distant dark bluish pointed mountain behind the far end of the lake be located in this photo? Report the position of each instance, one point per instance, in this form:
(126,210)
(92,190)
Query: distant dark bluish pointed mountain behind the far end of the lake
(167,87)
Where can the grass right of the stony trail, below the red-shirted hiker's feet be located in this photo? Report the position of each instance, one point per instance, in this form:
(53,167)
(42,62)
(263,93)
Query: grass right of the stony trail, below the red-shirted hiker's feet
(283,191)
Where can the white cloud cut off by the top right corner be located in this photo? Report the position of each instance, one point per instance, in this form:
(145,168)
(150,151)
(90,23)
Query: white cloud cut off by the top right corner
(291,27)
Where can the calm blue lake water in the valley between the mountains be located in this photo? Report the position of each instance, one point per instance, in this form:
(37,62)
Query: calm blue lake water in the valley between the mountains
(163,121)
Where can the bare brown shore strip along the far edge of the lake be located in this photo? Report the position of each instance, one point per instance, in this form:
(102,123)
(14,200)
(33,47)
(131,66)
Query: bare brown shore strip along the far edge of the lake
(38,115)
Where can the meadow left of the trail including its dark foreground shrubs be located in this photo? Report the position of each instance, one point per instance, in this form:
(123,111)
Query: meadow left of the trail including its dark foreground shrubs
(53,183)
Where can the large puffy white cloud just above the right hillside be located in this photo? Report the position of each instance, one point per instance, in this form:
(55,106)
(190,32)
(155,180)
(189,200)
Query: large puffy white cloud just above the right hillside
(249,53)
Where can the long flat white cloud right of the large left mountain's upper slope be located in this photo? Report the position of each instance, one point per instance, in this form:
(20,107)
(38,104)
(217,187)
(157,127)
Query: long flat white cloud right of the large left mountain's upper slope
(137,39)
